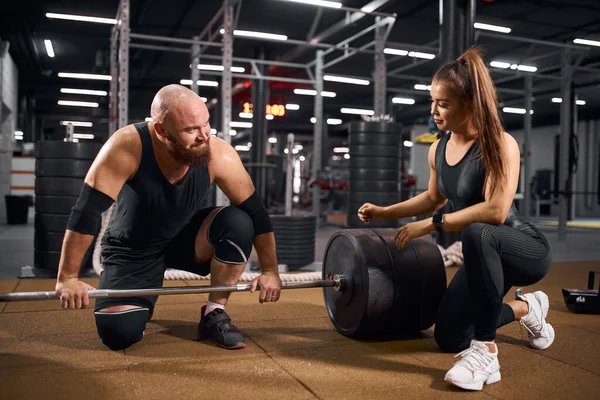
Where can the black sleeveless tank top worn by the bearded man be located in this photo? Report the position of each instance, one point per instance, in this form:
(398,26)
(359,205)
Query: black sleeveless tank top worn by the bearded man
(150,210)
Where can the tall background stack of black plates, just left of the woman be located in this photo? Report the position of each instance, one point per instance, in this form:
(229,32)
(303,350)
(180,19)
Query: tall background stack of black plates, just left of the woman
(374,169)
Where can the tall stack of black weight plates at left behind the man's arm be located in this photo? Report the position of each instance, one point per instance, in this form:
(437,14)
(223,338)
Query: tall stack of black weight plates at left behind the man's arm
(60,168)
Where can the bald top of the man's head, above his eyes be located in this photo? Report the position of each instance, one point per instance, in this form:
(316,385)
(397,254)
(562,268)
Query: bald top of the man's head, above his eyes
(175,99)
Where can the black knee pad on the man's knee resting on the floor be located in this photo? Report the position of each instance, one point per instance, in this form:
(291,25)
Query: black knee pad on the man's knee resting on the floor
(119,330)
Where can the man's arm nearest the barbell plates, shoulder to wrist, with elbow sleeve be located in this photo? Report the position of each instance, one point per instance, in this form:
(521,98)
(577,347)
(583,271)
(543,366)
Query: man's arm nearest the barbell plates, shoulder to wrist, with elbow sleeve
(233,179)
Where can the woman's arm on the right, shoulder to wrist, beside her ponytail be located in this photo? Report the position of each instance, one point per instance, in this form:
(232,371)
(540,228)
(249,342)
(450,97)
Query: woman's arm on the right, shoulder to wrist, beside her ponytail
(494,209)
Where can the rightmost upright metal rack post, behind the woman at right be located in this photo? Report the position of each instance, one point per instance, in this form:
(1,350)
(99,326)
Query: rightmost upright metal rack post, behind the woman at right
(565,128)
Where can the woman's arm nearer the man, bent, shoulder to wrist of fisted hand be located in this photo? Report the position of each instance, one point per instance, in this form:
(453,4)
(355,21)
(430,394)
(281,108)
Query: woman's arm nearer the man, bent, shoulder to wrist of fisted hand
(426,202)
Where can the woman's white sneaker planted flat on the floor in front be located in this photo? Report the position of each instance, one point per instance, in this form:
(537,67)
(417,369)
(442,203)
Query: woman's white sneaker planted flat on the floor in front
(476,367)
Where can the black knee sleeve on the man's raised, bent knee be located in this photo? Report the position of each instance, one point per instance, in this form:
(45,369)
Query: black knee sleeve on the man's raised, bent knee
(231,232)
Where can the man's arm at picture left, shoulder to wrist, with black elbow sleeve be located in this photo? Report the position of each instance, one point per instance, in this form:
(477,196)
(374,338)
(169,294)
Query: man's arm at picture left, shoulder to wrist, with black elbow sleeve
(116,162)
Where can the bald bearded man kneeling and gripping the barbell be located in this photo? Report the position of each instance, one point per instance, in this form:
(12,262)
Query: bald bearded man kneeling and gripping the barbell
(159,174)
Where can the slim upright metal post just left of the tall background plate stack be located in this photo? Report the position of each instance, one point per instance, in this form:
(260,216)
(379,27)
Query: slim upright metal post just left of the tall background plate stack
(318,134)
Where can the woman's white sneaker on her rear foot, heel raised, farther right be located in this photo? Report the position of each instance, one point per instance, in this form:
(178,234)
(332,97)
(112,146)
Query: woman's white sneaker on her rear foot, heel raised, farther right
(541,333)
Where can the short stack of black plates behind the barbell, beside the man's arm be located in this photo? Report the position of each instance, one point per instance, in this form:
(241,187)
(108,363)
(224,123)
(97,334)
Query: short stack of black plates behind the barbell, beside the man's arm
(295,239)
